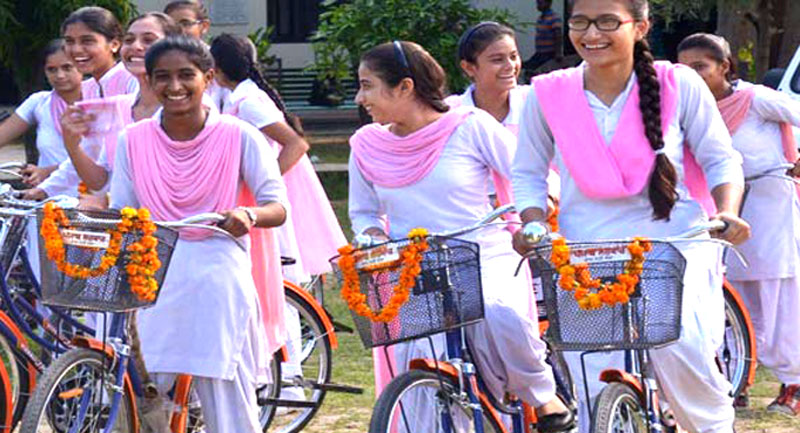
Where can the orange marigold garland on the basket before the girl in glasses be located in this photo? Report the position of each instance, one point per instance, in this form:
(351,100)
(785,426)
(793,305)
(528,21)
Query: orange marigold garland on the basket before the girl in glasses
(590,293)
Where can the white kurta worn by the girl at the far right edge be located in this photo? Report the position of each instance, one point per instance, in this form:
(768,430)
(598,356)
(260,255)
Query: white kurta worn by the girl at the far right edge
(771,207)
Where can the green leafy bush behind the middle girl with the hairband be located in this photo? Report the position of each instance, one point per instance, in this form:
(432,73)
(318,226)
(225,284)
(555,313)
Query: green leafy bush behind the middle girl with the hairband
(347,29)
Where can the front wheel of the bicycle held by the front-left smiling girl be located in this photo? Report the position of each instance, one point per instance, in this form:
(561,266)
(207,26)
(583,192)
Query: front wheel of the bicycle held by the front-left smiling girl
(75,394)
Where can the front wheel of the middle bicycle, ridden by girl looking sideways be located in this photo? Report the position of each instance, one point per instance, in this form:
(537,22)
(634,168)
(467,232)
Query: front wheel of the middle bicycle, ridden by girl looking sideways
(417,401)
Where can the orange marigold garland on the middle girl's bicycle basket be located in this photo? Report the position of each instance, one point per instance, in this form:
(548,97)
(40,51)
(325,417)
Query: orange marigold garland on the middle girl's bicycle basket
(410,258)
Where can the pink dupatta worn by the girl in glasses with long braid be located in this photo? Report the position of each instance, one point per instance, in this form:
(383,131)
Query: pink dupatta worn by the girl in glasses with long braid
(623,167)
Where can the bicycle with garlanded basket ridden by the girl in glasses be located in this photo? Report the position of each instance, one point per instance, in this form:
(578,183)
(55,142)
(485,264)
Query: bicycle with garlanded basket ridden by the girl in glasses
(649,318)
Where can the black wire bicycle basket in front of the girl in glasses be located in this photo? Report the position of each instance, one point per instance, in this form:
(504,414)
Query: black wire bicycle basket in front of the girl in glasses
(651,319)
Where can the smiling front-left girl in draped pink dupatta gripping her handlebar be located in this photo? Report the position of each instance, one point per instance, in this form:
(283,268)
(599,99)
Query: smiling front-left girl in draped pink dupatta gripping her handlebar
(190,160)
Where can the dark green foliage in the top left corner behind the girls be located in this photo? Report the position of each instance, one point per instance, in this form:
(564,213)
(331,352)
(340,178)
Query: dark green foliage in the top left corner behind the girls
(29,25)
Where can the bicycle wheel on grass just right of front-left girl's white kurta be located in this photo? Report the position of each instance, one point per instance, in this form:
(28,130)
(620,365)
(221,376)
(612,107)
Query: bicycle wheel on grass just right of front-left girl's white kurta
(316,365)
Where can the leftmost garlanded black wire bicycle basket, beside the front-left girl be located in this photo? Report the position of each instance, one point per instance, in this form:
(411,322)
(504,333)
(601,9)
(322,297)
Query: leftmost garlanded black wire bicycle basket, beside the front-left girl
(85,247)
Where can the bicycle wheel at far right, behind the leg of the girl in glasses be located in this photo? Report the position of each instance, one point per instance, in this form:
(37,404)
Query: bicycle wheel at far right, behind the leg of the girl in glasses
(736,354)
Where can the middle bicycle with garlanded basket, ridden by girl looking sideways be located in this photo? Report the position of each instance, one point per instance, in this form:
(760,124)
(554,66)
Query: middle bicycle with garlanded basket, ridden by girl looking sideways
(447,296)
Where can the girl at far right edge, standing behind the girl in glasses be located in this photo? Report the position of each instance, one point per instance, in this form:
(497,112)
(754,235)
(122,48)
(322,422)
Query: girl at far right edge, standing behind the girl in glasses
(760,120)
